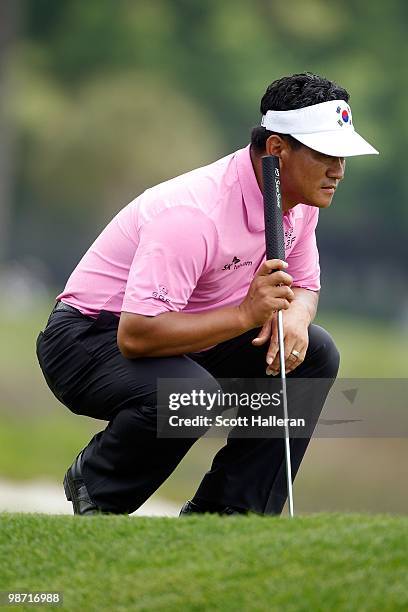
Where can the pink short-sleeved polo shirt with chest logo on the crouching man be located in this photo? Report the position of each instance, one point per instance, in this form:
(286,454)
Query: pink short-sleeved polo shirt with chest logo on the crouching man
(191,244)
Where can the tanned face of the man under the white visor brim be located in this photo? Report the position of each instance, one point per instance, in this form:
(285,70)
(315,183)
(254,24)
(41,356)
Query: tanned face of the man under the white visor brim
(309,177)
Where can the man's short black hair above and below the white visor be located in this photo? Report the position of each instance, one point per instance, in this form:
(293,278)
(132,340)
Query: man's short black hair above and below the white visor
(288,93)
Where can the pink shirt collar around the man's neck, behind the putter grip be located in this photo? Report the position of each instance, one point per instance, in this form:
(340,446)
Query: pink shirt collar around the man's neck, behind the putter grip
(253,198)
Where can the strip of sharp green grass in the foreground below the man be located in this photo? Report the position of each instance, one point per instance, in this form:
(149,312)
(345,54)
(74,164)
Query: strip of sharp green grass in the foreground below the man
(314,563)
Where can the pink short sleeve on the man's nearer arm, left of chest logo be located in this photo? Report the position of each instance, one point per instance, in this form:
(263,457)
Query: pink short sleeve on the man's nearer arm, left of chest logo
(173,251)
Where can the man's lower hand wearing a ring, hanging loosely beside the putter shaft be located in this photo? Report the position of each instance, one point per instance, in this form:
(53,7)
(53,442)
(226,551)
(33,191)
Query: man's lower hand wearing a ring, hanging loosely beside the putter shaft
(296,320)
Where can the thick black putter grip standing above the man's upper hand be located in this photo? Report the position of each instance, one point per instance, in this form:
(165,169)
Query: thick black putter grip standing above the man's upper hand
(275,243)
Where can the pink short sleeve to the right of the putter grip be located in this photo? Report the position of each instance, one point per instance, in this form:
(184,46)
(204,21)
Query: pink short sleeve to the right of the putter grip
(303,260)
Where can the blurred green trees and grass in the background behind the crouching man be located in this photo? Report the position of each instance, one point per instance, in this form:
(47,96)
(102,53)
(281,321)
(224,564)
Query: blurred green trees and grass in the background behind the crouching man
(104,98)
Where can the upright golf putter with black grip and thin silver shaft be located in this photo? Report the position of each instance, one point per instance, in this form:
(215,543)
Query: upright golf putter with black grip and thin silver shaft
(275,249)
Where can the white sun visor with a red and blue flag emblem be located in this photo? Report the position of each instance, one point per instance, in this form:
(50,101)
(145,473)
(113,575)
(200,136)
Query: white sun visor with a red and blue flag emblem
(326,127)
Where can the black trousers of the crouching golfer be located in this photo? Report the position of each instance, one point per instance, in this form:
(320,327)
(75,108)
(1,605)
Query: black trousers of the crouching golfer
(125,463)
